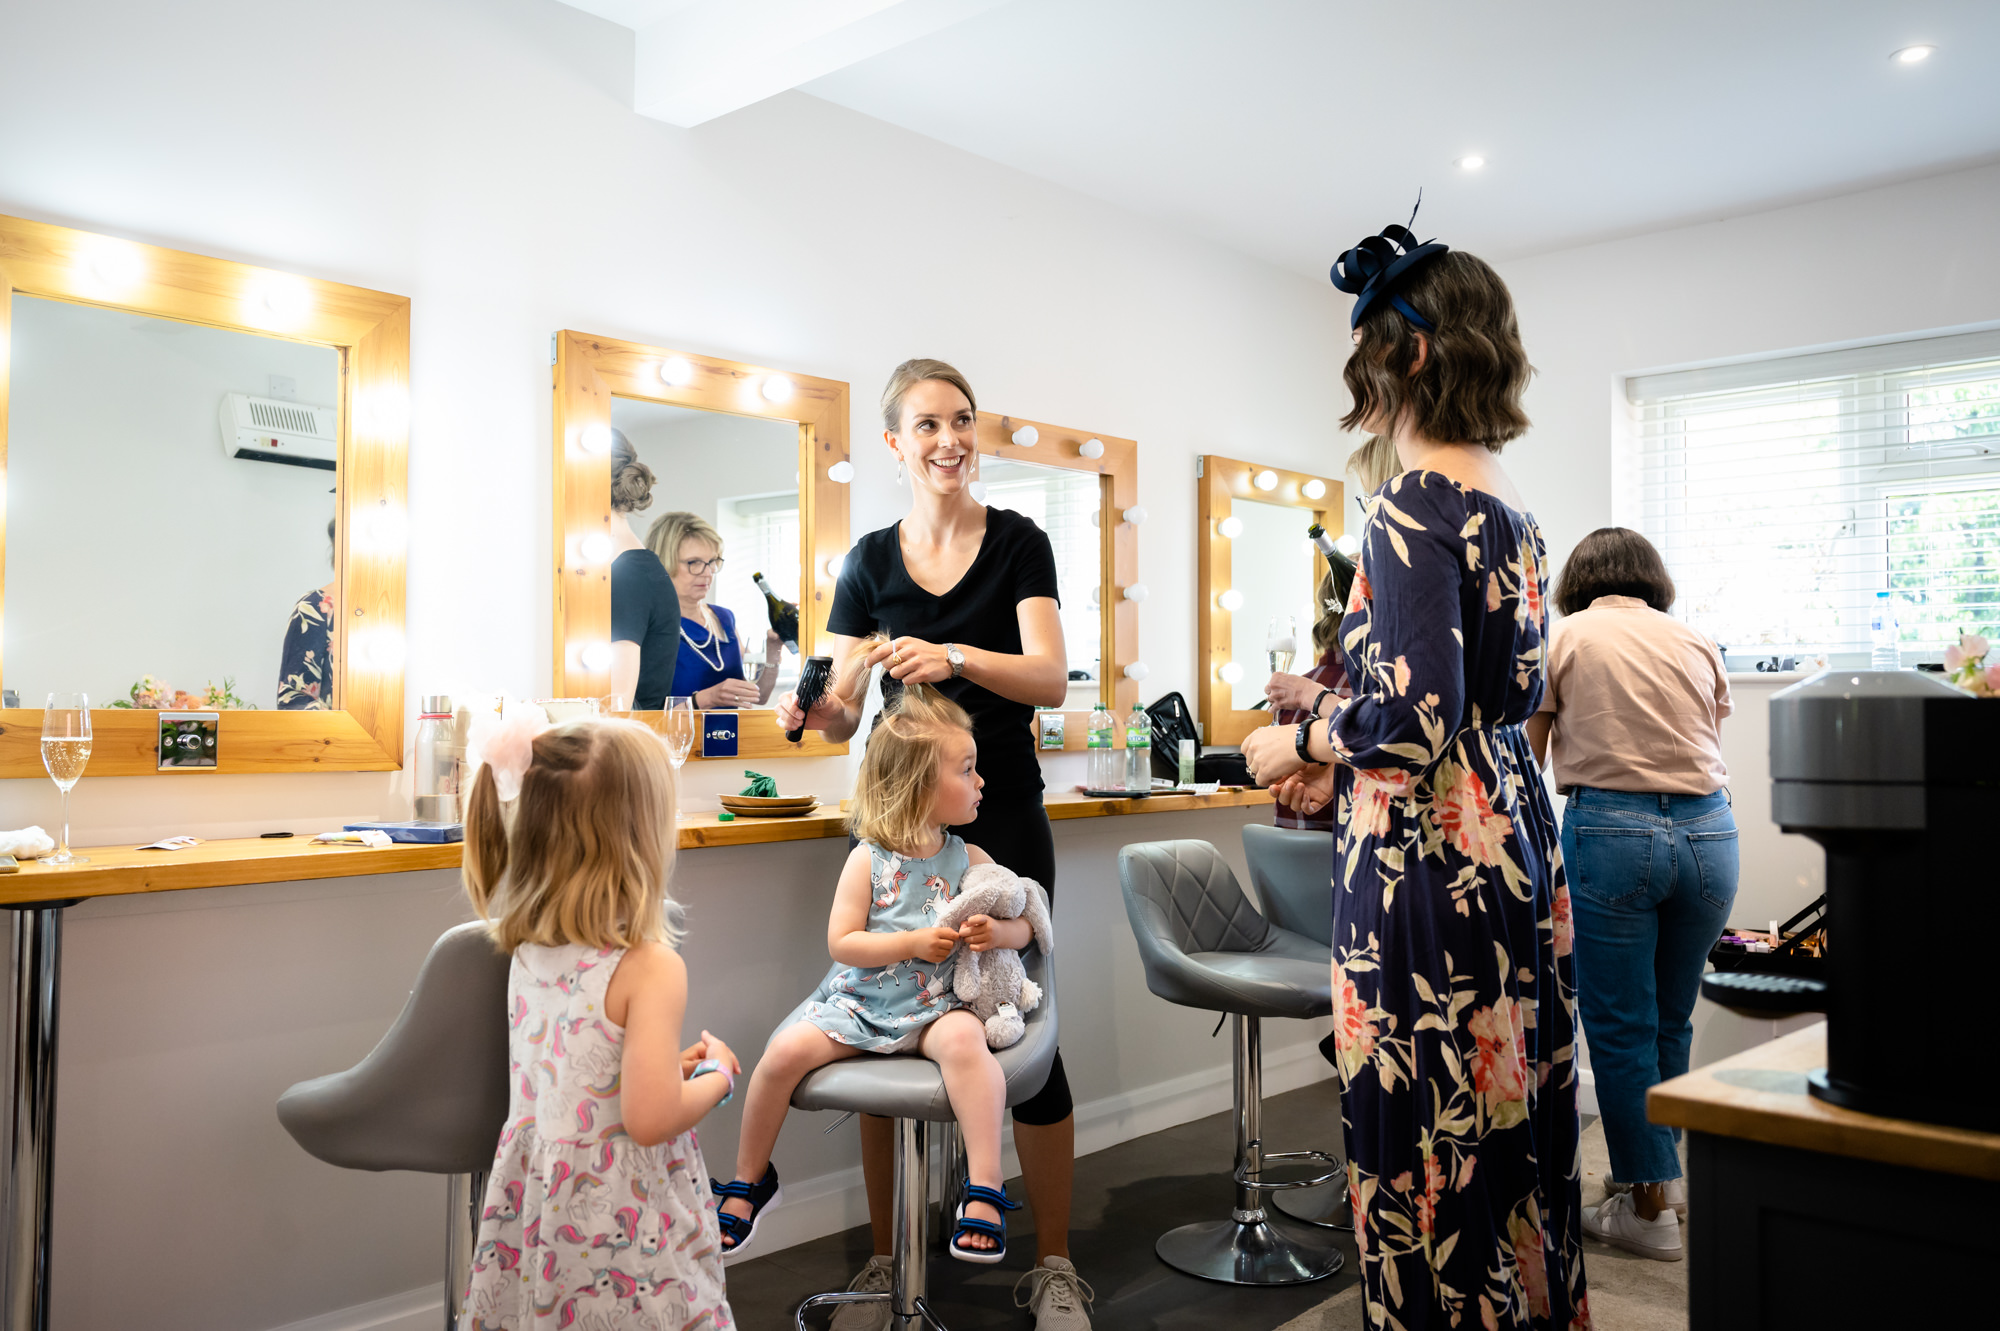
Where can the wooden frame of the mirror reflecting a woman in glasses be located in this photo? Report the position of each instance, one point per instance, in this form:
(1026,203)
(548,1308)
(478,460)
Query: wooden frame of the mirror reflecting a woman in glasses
(589,373)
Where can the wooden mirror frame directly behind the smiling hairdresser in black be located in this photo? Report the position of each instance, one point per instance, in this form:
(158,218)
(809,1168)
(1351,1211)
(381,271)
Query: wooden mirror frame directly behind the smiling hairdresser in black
(1059,447)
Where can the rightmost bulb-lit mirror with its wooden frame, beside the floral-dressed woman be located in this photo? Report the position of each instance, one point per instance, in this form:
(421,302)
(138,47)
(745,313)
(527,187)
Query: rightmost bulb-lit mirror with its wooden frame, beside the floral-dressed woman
(1259,585)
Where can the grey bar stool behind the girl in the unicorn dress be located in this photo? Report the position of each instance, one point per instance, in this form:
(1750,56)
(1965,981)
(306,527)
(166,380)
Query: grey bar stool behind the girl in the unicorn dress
(431,1096)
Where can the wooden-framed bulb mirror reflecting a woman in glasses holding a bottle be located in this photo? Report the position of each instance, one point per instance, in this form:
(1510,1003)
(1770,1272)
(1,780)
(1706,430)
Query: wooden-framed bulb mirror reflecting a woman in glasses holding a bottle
(701,509)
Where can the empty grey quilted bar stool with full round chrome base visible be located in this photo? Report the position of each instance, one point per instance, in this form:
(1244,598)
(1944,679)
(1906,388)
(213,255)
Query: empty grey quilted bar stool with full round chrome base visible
(1205,946)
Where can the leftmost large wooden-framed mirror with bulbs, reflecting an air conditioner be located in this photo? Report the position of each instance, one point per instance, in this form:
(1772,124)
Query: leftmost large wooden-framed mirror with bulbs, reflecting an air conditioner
(205,505)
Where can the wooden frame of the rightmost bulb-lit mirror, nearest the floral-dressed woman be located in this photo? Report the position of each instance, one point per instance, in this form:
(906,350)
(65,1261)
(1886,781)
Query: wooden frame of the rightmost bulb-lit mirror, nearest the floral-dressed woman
(1221,483)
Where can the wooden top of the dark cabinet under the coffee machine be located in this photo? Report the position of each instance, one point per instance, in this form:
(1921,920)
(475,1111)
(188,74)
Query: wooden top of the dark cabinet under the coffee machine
(1729,1100)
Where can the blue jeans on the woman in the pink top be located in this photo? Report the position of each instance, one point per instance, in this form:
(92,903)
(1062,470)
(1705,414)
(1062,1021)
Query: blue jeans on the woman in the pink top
(1651,888)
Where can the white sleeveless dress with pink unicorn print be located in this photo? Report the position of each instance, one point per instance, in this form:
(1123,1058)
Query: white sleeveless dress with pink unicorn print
(583,1226)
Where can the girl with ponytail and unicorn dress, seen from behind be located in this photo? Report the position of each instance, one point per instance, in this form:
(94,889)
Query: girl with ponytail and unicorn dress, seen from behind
(597,1198)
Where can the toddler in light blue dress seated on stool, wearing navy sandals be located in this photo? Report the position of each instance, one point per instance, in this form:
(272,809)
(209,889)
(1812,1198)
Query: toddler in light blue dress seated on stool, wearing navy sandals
(891,988)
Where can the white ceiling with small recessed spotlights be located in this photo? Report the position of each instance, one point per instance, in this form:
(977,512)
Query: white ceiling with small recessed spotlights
(1289,129)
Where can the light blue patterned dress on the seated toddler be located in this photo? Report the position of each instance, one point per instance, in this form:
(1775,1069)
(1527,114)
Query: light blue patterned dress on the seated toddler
(885,1008)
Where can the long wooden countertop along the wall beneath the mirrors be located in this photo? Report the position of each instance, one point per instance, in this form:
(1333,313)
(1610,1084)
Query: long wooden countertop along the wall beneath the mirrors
(123,870)
